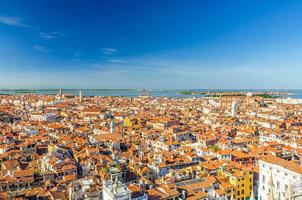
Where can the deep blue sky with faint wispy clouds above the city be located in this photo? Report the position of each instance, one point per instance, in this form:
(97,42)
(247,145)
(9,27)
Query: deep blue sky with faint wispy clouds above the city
(151,44)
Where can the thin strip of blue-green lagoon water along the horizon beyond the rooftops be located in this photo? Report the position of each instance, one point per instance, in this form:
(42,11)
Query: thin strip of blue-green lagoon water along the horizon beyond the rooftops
(136,92)
